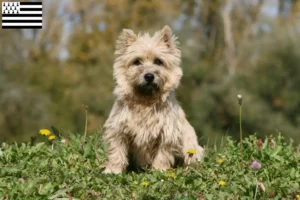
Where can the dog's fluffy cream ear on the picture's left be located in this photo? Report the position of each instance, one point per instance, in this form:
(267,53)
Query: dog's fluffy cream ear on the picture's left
(126,38)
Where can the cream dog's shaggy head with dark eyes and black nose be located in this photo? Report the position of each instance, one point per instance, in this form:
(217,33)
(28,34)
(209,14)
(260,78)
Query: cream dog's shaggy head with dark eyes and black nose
(147,66)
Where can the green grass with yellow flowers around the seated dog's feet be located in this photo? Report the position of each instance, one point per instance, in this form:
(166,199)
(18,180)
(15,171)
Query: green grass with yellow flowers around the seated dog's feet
(72,170)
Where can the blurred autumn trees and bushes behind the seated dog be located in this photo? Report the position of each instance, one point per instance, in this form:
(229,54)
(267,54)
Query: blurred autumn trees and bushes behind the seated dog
(229,47)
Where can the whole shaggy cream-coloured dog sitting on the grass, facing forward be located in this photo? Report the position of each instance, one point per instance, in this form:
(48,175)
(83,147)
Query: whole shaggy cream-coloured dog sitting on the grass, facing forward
(146,121)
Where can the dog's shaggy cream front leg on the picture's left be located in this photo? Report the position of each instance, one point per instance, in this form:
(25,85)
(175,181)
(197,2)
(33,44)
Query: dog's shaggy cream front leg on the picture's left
(117,156)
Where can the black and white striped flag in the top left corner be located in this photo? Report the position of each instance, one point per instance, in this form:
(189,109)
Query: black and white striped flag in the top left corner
(18,15)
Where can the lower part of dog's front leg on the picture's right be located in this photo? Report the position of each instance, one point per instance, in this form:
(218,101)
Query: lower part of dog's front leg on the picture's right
(163,160)
